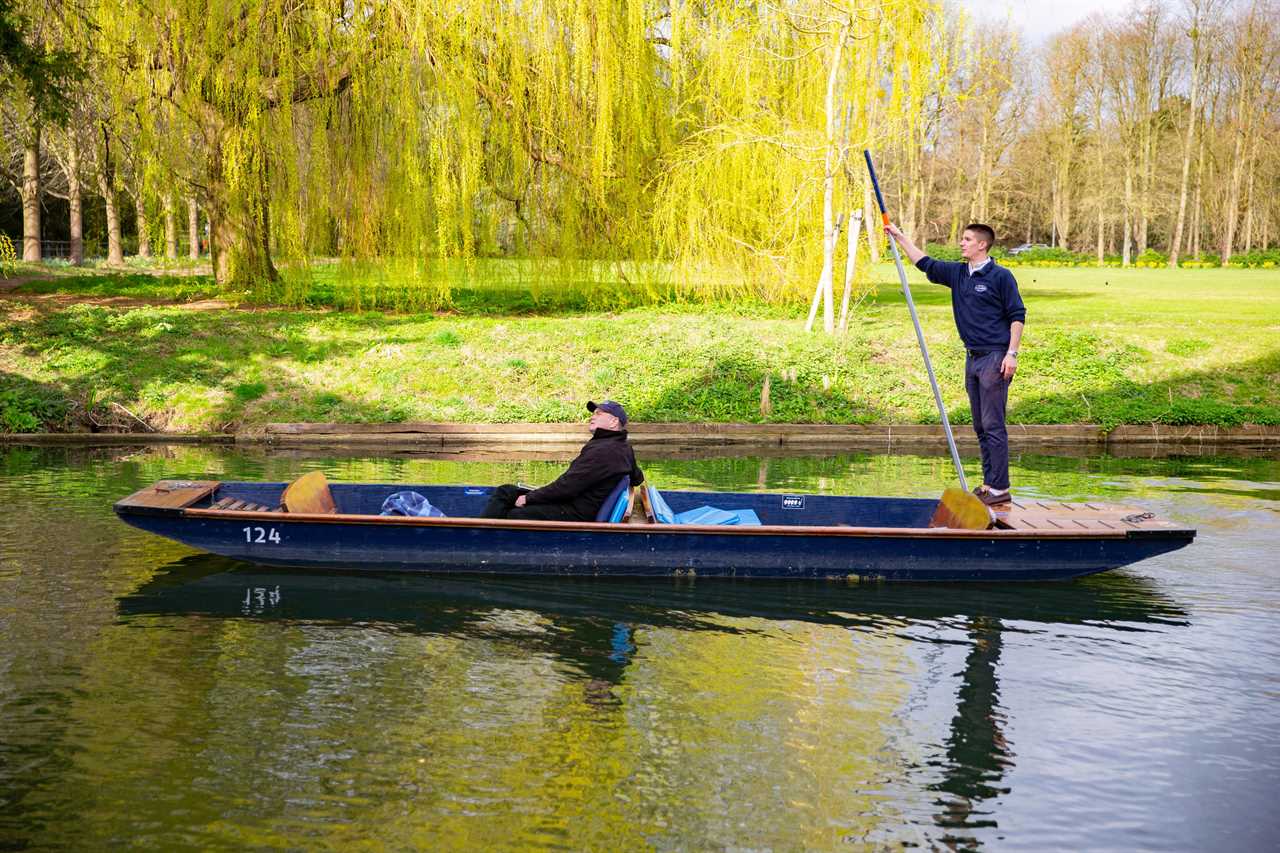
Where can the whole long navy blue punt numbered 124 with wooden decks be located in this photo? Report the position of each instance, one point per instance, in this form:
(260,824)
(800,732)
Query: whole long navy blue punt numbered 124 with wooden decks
(797,537)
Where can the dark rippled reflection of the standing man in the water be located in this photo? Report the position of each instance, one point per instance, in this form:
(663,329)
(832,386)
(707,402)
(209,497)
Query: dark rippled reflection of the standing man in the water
(977,754)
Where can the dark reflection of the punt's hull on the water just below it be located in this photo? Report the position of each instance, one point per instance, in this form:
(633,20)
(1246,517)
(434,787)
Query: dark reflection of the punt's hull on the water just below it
(212,586)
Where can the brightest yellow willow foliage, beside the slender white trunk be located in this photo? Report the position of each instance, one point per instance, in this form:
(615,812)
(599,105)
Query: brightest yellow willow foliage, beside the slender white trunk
(740,203)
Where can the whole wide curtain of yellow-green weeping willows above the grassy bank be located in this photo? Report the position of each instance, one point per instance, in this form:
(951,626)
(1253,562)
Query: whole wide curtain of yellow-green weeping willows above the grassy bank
(698,145)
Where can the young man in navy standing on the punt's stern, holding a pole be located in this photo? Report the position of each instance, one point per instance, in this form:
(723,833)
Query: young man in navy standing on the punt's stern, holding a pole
(990,317)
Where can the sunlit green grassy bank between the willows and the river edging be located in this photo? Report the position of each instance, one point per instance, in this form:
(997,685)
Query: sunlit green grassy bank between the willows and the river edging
(1103,346)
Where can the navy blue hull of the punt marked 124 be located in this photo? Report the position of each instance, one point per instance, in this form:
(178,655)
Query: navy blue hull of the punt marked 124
(455,545)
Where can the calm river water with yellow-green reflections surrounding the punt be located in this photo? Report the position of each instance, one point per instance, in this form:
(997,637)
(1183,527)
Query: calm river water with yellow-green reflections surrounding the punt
(161,699)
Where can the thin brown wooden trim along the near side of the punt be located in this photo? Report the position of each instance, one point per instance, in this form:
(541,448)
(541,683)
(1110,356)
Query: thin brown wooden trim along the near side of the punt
(688,530)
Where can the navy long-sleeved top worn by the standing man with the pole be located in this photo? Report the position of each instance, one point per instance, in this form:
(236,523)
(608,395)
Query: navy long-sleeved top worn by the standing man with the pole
(984,304)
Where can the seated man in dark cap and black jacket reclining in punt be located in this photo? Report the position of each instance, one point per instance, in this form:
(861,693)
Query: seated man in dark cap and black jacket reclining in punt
(579,494)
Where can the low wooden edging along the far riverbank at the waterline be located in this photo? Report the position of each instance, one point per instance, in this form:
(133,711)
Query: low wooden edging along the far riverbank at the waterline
(555,437)
